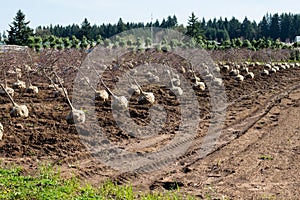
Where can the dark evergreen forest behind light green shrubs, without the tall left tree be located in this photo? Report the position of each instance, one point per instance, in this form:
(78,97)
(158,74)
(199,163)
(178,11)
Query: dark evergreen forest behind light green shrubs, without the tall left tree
(283,27)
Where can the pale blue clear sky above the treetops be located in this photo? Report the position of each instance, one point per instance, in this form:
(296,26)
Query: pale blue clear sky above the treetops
(64,12)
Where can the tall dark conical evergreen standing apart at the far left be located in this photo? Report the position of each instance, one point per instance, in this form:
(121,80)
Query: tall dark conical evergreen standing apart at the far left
(19,30)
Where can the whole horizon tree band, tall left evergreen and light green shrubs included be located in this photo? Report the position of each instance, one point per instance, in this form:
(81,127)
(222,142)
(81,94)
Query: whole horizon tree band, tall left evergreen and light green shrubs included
(271,30)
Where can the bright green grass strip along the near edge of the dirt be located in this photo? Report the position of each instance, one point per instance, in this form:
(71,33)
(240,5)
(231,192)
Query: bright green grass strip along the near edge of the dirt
(48,184)
